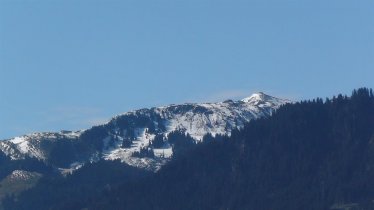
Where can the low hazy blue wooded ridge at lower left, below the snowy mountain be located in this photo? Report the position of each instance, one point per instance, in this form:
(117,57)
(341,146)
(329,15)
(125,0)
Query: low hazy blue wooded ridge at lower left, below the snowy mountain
(75,191)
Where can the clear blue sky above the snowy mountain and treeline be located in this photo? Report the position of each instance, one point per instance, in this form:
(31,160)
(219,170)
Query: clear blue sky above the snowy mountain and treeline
(68,64)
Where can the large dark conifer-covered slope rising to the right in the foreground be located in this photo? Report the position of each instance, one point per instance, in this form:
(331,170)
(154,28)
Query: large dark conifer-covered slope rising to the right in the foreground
(312,155)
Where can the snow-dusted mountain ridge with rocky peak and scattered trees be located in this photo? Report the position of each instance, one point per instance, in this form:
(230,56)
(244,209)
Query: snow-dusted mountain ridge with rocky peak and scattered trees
(140,138)
